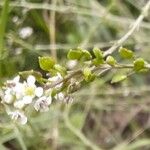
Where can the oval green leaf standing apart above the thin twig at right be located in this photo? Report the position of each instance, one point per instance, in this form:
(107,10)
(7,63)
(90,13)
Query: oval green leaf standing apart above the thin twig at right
(125,53)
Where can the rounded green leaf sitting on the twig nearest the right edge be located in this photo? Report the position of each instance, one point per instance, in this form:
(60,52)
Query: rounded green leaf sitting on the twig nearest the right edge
(139,64)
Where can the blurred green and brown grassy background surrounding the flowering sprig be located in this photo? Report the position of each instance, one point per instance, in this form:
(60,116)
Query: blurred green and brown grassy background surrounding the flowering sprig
(103,116)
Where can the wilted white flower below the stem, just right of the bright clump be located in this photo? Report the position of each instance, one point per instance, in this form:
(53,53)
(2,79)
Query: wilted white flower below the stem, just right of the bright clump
(42,104)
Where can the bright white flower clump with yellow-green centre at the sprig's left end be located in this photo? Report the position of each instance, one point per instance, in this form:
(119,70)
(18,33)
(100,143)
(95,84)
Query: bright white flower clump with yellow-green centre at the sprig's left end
(21,93)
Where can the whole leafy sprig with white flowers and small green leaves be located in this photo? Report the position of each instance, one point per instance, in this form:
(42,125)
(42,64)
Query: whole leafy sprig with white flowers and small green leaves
(63,81)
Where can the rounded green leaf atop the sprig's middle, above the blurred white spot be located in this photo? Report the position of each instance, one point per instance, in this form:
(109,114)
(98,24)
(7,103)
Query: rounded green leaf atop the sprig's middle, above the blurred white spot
(74,54)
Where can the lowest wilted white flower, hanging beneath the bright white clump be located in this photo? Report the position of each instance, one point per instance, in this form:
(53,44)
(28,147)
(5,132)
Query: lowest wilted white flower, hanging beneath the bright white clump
(18,116)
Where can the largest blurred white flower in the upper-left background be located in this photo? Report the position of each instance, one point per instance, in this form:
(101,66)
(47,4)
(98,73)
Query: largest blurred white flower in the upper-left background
(25,32)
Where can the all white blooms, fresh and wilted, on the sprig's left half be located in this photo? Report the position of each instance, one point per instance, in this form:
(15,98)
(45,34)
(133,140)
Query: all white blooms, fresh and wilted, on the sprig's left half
(18,95)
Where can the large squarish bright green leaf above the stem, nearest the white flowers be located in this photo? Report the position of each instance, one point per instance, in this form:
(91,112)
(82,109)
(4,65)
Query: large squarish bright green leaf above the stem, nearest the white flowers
(46,63)
